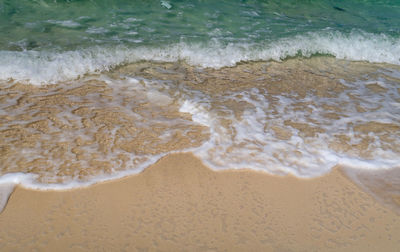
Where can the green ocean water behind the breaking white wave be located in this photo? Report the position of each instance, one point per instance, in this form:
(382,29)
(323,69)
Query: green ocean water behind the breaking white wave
(67,25)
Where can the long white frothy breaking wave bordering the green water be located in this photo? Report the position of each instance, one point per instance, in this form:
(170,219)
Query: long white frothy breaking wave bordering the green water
(43,67)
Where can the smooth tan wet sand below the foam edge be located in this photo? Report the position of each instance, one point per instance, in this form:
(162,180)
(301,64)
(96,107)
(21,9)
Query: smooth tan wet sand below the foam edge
(178,204)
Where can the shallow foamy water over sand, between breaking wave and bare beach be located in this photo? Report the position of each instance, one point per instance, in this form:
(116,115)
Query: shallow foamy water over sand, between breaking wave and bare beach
(301,116)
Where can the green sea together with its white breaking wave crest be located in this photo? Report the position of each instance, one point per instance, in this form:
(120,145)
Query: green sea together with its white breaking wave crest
(71,38)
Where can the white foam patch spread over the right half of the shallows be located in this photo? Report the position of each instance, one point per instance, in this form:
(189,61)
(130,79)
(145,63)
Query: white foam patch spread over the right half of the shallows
(250,142)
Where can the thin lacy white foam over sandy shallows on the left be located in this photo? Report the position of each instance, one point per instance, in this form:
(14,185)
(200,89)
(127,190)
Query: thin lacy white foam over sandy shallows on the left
(129,94)
